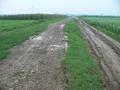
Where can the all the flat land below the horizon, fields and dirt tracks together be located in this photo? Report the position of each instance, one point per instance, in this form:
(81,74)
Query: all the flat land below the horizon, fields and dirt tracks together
(60,53)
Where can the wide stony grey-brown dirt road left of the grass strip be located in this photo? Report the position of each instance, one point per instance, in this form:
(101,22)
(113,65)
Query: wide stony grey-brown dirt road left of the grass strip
(36,64)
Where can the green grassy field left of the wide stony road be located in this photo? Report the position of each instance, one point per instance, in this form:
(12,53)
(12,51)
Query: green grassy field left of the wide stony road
(15,32)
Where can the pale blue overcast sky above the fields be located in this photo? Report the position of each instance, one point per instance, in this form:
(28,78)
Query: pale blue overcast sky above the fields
(77,7)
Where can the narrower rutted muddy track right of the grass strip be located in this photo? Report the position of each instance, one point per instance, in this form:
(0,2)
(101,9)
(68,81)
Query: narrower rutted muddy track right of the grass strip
(107,52)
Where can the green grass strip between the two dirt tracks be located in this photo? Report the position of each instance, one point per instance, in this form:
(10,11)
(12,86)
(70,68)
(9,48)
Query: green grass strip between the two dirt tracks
(81,69)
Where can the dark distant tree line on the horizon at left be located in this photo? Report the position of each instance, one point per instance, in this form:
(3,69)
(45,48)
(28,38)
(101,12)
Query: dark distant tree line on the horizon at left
(31,16)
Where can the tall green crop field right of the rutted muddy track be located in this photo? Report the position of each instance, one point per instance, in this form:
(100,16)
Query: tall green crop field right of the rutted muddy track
(108,25)
